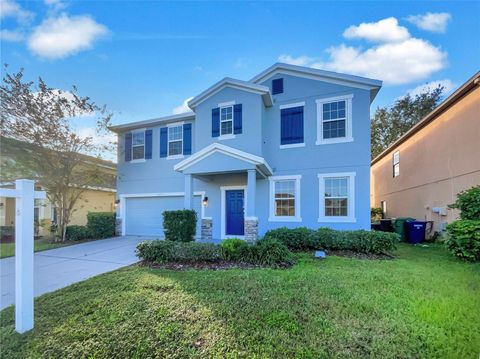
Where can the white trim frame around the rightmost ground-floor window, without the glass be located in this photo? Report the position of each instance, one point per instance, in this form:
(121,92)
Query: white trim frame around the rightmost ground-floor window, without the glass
(351,198)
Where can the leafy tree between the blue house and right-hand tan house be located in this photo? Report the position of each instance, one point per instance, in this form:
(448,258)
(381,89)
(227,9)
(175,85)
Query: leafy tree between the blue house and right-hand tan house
(390,123)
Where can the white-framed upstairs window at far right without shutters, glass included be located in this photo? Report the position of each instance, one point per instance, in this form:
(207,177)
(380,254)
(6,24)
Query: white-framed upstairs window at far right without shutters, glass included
(334,120)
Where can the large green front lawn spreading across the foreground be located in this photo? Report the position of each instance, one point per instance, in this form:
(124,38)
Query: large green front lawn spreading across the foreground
(423,305)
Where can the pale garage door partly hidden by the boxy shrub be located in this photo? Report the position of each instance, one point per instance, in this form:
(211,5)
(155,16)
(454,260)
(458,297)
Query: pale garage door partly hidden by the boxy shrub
(143,215)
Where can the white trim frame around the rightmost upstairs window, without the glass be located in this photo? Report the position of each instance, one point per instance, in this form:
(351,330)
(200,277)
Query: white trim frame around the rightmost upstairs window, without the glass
(348,120)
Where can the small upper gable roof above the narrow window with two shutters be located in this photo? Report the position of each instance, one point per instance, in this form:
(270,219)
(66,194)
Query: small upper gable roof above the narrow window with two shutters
(264,91)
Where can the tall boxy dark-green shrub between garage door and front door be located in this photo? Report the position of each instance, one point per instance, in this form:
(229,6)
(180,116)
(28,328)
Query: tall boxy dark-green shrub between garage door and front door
(180,226)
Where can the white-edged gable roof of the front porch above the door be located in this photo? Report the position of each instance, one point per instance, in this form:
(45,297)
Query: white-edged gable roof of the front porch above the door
(262,165)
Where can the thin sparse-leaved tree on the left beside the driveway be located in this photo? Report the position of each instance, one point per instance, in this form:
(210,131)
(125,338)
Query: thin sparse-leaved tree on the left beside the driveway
(54,156)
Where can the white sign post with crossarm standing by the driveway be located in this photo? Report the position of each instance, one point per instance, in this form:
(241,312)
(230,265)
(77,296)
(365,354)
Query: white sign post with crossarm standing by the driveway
(25,196)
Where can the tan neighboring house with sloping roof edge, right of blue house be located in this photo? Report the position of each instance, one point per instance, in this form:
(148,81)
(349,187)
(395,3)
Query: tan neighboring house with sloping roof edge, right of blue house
(423,171)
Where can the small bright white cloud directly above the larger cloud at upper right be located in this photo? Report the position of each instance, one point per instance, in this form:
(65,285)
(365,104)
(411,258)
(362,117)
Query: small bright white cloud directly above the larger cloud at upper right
(386,30)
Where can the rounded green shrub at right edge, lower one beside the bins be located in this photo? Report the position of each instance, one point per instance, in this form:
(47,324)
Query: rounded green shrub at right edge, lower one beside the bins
(464,239)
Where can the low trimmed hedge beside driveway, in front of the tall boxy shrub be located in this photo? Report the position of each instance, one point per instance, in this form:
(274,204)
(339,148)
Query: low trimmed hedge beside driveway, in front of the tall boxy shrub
(184,252)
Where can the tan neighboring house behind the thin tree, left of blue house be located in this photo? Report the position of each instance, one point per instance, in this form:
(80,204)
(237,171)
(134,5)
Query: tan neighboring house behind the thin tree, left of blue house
(97,199)
